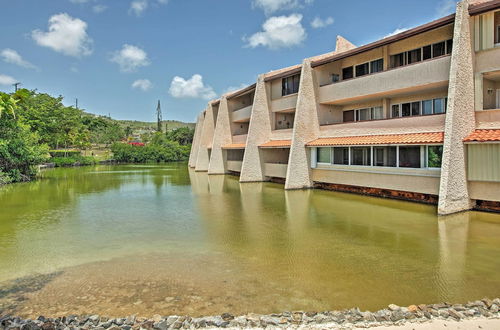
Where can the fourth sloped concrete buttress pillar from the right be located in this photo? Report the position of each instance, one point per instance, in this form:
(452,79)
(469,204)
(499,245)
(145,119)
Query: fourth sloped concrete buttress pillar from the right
(222,136)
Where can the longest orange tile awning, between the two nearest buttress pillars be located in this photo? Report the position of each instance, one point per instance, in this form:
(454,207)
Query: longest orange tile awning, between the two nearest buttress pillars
(413,138)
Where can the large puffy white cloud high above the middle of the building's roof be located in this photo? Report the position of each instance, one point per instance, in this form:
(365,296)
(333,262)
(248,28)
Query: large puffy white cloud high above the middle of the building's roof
(279,32)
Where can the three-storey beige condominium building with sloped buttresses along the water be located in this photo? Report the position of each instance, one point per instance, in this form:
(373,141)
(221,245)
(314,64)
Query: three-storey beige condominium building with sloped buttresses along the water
(412,116)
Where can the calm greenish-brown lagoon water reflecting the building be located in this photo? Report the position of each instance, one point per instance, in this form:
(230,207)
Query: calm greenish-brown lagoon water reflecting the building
(162,239)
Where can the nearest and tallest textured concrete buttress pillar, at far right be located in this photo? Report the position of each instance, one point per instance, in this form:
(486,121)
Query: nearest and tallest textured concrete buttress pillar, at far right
(460,120)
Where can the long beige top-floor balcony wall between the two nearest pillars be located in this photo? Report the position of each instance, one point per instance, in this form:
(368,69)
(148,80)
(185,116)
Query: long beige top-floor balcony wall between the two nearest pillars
(412,78)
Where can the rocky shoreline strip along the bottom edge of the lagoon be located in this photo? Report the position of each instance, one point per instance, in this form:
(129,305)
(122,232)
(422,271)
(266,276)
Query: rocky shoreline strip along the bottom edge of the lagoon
(346,319)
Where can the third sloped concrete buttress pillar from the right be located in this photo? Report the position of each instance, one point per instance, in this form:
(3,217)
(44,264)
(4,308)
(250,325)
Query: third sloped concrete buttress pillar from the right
(259,132)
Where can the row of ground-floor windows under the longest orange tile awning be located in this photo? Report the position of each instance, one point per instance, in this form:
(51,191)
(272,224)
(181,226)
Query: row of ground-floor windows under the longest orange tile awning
(404,156)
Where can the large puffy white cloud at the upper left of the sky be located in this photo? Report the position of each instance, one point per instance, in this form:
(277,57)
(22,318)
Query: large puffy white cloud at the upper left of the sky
(66,35)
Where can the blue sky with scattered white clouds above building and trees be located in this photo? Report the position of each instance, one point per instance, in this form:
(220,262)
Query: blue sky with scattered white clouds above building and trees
(121,56)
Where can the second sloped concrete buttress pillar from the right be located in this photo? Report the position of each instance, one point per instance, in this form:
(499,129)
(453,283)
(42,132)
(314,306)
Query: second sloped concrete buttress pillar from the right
(305,129)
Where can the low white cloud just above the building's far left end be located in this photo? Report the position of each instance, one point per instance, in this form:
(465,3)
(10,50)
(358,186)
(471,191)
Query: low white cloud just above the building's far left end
(191,88)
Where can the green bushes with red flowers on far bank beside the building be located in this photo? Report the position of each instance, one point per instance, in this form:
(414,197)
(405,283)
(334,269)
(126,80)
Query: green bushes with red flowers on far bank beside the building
(160,149)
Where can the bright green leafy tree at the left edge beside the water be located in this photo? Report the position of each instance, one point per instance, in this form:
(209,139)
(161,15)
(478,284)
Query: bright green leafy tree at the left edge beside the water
(20,148)
